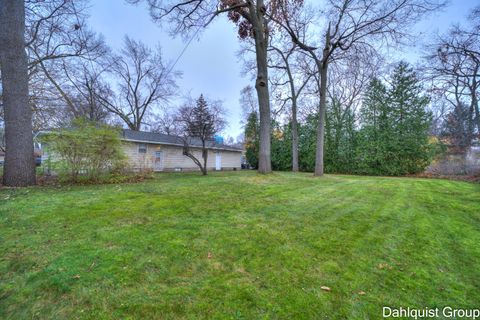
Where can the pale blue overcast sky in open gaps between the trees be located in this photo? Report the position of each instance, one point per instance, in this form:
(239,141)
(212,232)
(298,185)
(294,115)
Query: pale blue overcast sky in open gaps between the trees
(210,65)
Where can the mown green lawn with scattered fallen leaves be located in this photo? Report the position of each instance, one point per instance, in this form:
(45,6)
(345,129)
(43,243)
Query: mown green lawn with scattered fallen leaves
(239,246)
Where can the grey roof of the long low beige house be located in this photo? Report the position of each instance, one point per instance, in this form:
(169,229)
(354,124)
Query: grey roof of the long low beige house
(160,138)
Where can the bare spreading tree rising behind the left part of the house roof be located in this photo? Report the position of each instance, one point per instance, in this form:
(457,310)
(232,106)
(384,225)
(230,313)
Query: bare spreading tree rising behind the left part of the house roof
(144,81)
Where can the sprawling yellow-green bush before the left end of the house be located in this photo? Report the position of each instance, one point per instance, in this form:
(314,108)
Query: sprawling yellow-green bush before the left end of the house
(86,151)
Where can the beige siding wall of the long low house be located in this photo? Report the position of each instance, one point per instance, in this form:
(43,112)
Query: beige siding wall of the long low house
(173,158)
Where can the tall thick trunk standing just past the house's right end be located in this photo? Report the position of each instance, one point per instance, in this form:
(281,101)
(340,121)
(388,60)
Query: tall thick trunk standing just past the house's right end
(261,85)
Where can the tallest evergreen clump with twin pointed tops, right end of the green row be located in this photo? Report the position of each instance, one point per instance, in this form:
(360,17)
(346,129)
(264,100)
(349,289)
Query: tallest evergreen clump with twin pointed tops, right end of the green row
(395,123)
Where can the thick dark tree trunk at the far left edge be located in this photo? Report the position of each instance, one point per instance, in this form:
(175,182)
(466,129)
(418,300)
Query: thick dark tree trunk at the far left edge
(19,169)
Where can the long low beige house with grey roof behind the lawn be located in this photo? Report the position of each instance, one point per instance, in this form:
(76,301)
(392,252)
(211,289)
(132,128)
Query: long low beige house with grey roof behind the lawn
(161,152)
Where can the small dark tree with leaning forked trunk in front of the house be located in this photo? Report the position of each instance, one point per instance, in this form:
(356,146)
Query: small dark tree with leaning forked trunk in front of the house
(200,121)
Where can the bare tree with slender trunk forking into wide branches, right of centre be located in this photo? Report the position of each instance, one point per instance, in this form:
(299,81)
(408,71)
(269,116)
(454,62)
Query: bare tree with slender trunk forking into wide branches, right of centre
(351,25)
